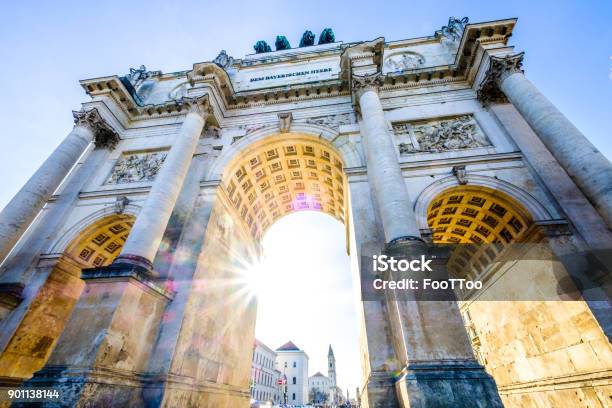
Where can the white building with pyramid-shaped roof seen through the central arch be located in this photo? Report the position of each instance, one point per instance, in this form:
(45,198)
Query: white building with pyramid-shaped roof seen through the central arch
(293,362)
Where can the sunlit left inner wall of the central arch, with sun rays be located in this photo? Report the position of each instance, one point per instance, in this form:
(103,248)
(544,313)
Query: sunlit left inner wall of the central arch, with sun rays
(218,326)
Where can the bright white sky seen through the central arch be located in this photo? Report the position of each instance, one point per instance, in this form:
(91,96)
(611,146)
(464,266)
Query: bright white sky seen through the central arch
(305,293)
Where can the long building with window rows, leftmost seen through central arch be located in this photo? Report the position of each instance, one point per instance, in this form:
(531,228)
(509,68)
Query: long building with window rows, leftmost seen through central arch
(264,375)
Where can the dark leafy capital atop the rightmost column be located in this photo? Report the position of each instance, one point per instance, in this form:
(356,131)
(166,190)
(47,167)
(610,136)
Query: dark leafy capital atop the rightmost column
(499,69)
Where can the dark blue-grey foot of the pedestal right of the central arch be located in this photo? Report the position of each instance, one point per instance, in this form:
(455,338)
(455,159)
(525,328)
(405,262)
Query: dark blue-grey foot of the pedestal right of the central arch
(453,384)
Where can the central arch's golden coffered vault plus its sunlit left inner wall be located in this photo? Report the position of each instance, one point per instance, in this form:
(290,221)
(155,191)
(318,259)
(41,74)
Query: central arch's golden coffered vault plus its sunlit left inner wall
(261,183)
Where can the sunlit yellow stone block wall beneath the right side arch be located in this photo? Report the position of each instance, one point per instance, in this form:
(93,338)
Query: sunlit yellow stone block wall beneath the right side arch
(548,353)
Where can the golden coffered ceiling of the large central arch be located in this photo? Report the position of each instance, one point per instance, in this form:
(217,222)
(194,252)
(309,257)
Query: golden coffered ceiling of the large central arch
(283,174)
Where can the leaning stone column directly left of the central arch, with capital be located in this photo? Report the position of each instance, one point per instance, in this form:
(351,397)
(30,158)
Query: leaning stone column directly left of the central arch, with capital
(146,234)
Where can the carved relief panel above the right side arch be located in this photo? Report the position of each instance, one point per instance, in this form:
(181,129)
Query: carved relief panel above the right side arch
(453,133)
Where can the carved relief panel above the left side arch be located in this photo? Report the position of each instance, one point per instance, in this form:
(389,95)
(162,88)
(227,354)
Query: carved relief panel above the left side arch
(136,167)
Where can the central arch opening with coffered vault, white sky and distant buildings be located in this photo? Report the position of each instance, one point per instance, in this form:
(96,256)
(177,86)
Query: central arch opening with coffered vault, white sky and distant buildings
(288,193)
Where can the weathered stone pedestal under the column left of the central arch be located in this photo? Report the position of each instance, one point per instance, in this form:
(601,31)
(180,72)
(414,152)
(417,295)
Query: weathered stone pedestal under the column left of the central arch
(99,358)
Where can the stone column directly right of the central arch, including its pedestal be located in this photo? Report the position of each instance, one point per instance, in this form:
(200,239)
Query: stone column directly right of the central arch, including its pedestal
(428,338)
